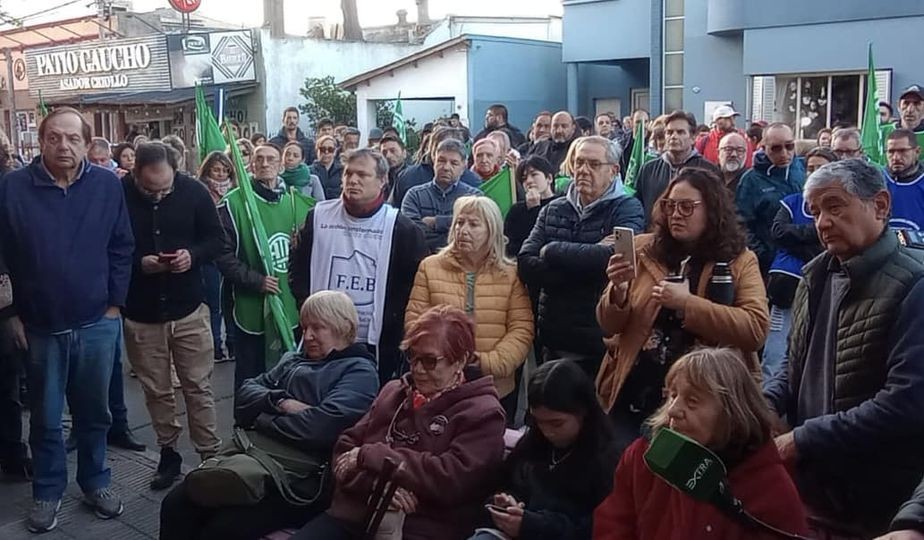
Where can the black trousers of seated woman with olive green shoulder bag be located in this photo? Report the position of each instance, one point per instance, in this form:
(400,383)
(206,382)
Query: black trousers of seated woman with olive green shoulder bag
(182,519)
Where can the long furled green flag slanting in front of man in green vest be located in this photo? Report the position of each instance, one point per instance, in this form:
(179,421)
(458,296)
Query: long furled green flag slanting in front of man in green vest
(278,332)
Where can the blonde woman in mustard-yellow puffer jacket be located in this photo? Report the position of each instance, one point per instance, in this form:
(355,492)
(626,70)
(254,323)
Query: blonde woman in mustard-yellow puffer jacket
(473,274)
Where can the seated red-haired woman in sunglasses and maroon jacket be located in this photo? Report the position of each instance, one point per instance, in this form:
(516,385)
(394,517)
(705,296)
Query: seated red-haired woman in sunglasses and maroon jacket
(444,428)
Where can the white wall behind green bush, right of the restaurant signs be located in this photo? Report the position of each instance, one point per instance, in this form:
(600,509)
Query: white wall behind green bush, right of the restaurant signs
(288,62)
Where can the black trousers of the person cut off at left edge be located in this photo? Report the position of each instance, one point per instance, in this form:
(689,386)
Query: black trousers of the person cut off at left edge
(12,448)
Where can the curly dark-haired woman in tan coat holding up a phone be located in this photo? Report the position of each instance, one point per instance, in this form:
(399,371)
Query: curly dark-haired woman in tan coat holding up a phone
(695,283)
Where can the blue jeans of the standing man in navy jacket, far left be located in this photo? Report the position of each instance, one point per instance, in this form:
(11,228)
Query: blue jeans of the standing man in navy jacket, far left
(76,364)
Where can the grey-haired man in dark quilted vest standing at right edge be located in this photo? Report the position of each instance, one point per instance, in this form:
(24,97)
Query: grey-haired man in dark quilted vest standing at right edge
(853,389)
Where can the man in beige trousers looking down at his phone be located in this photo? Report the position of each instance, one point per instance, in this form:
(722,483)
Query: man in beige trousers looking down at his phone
(176,232)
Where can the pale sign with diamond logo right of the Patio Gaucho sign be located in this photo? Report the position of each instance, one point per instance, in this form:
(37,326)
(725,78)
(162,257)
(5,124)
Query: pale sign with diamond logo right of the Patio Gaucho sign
(213,58)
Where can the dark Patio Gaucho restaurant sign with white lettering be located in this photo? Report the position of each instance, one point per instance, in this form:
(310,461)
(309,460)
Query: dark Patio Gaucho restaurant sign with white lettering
(125,65)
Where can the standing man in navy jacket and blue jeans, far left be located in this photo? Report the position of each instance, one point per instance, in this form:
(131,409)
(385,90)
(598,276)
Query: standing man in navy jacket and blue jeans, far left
(69,246)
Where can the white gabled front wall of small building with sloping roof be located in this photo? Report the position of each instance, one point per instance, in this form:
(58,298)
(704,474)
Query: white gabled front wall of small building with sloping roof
(434,77)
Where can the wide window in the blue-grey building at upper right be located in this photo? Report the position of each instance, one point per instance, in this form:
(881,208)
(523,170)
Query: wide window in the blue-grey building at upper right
(809,103)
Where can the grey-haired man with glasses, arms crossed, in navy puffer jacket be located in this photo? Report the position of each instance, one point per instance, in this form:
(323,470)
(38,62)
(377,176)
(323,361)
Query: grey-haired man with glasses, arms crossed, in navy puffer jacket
(565,257)
